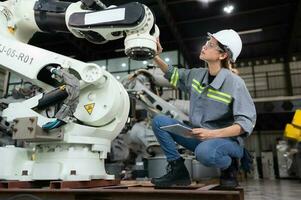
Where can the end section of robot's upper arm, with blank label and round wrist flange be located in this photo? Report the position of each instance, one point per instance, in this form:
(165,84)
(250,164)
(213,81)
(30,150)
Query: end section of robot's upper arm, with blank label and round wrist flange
(133,20)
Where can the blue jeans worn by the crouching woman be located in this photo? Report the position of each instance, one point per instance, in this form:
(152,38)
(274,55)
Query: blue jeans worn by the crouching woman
(215,152)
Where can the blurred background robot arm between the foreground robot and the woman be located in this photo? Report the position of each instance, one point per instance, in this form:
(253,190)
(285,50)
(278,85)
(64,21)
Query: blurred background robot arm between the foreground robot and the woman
(142,86)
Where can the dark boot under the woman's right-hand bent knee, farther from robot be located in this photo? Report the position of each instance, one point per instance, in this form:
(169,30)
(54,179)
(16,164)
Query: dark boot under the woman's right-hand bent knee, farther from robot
(228,178)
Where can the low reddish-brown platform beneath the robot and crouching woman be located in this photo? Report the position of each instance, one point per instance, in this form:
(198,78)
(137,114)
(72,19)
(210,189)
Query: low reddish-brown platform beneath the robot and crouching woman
(122,191)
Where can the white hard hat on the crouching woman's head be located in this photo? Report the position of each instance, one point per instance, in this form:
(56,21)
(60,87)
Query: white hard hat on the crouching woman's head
(231,40)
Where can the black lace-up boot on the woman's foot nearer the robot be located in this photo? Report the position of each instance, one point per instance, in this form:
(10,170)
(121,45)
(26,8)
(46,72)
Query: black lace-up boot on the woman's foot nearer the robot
(177,174)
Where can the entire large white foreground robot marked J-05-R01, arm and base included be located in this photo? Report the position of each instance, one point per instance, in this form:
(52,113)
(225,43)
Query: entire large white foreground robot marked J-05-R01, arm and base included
(92,105)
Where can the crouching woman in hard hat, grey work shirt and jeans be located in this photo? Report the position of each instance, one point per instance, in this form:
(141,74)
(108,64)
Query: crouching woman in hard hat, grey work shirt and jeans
(222,112)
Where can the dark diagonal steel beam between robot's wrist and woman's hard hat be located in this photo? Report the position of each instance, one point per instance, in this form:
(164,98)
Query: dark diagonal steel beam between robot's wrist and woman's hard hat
(174,30)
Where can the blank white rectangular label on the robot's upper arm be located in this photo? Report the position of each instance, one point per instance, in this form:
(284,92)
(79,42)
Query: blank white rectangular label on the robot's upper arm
(105,16)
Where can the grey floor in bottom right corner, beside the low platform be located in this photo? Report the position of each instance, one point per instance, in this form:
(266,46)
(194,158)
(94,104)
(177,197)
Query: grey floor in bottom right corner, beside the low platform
(272,189)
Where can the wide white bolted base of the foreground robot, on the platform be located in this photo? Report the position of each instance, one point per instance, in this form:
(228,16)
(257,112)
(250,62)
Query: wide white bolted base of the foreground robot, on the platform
(52,162)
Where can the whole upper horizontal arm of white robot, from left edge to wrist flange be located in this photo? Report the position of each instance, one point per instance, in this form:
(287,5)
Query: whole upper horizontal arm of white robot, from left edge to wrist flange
(84,19)
